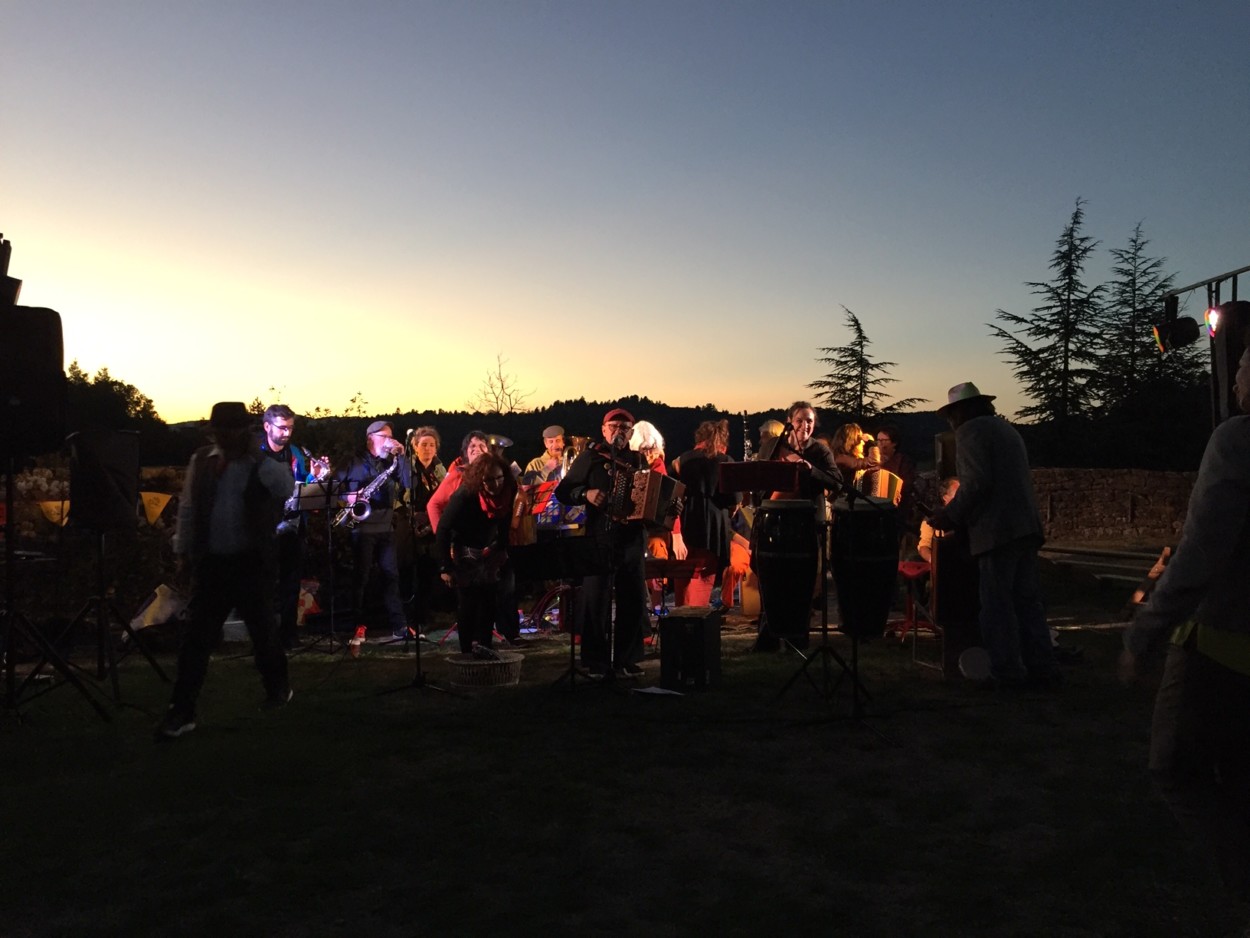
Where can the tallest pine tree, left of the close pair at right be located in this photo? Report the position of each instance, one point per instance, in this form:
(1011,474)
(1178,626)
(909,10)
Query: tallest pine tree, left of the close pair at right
(1054,351)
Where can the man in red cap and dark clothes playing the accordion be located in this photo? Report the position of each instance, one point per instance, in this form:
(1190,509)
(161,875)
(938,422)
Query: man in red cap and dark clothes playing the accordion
(589,482)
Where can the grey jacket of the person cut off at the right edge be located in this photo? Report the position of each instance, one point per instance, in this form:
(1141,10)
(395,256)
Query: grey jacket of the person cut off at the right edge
(1208,578)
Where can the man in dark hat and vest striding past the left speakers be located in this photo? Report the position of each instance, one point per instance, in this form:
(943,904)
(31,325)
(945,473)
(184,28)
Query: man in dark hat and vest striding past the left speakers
(227,528)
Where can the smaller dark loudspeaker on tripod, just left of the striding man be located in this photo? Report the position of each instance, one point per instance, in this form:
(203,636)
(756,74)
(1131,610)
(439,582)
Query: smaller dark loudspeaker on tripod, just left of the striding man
(104,480)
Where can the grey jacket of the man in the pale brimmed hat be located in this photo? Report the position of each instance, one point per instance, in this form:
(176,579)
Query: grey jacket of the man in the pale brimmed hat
(996,500)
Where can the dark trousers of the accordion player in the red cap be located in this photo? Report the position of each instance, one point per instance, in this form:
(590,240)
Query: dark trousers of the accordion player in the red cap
(596,605)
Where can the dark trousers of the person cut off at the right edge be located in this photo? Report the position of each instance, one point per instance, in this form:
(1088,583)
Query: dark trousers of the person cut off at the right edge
(1201,759)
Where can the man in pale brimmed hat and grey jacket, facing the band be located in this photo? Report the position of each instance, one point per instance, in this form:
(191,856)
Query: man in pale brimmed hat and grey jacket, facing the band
(997,505)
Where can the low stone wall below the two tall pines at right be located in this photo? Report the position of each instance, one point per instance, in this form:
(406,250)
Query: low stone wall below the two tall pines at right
(1129,507)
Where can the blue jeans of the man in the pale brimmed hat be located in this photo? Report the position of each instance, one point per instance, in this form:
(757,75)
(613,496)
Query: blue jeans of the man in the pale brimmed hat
(1013,618)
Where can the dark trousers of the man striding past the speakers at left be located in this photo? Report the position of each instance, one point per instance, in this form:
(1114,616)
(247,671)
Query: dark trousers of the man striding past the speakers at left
(241,582)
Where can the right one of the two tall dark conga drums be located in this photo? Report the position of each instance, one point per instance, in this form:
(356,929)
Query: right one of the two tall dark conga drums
(866,561)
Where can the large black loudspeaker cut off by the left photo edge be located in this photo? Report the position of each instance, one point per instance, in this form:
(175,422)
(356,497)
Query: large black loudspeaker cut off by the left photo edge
(32,382)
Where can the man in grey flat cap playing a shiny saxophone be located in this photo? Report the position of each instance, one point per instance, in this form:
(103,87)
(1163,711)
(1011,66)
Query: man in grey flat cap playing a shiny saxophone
(373,537)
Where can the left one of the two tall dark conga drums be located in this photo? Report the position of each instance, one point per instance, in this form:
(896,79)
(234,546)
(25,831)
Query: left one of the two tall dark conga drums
(786,561)
